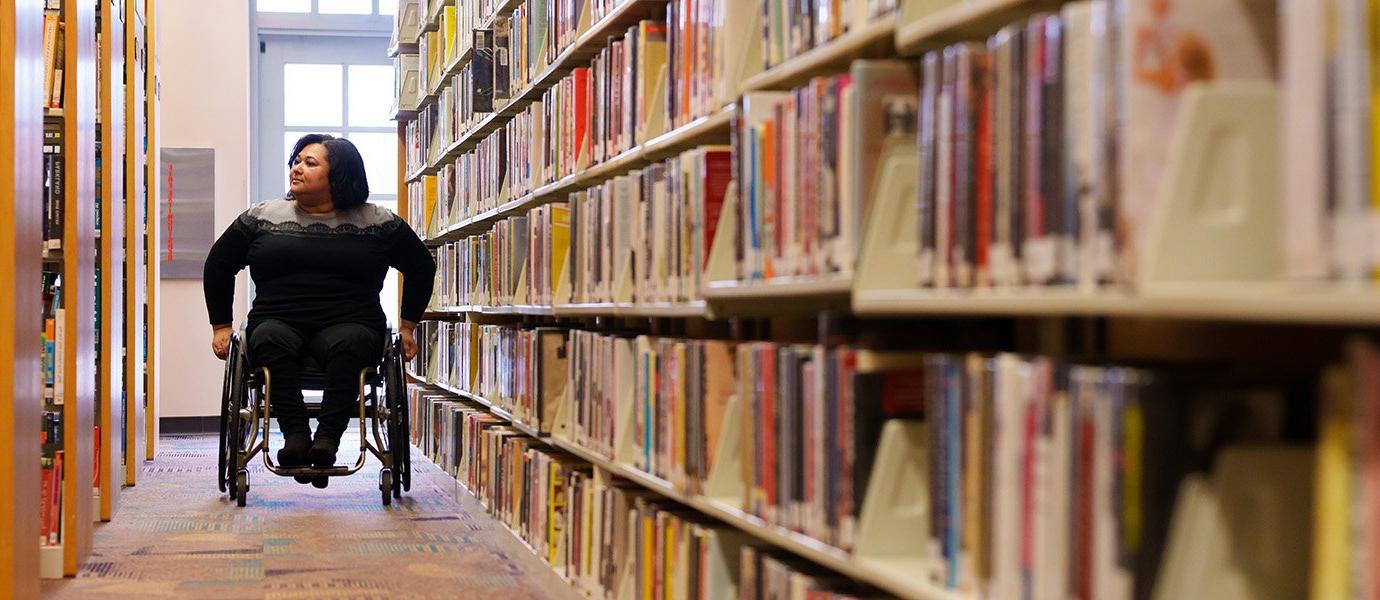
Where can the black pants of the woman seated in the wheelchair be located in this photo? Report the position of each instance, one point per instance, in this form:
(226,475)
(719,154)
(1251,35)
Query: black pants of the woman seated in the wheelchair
(340,350)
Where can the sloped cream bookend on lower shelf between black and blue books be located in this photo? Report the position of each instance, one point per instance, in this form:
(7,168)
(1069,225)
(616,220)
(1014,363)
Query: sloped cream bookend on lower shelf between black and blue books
(896,508)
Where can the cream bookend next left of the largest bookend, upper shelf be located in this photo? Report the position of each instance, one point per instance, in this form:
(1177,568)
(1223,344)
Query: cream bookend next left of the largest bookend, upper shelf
(891,241)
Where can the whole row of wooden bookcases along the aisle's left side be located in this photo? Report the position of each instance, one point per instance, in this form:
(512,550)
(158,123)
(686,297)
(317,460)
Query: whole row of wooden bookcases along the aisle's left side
(66,223)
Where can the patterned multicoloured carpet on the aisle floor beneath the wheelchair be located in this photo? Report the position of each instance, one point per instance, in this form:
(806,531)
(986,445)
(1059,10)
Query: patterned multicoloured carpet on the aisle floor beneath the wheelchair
(176,536)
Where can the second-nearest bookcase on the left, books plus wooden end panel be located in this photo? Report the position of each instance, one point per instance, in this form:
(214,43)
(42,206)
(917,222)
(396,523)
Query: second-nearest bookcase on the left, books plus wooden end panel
(70,174)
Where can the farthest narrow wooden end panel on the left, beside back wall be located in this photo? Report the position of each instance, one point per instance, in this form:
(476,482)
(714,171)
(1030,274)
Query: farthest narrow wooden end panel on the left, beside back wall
(151,384)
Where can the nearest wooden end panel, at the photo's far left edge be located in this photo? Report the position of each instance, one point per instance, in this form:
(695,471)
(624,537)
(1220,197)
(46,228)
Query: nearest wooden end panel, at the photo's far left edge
(21,206)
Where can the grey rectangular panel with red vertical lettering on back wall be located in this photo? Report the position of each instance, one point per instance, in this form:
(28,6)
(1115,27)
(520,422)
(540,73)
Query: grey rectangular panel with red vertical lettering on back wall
(187,210)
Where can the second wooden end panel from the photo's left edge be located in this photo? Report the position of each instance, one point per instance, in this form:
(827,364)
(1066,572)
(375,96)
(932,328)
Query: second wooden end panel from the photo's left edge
(79,282)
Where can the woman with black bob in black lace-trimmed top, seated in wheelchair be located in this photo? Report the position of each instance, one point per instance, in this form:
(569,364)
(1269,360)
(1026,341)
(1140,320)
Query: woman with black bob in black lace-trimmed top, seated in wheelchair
(318,260)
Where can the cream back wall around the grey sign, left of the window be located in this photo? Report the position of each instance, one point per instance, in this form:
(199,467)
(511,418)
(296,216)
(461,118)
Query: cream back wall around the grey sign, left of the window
(205,61)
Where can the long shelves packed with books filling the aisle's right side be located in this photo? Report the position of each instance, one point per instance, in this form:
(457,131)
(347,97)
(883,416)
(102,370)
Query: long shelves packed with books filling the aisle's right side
(916,299)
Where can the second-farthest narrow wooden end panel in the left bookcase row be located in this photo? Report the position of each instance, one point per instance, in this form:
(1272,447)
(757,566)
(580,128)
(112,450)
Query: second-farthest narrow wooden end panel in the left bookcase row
(135,272)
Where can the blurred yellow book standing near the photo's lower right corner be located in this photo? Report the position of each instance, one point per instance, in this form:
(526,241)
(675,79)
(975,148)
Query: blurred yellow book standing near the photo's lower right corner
(1332,489)
